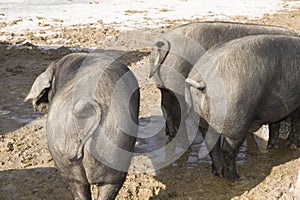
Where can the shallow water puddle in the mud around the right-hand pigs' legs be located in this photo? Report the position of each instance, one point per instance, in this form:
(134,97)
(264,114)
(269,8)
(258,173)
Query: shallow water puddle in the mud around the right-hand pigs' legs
(152,143)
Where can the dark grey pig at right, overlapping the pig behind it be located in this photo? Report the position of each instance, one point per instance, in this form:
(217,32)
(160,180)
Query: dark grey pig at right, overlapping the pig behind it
(240,85)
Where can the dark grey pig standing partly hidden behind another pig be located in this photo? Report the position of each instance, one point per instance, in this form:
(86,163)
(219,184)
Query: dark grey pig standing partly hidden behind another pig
(176,51)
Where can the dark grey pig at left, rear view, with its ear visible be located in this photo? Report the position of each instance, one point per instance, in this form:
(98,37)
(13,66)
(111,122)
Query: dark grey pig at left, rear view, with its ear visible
(92,120)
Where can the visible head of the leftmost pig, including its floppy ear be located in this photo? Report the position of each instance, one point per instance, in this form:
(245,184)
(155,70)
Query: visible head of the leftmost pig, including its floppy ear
(40,92)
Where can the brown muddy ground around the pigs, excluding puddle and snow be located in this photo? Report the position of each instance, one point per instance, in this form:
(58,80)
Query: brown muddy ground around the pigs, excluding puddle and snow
(27,170)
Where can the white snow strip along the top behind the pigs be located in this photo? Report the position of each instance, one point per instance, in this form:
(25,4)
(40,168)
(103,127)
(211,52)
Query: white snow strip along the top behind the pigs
(33,15)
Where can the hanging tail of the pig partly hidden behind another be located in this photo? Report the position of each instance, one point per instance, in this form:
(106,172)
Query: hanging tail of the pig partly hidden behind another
(158,54)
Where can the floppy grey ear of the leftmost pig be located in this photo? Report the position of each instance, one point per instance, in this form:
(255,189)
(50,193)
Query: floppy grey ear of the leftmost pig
(41,84)
